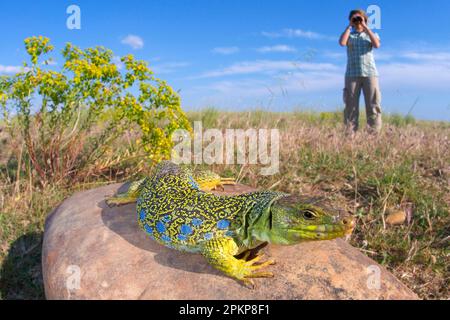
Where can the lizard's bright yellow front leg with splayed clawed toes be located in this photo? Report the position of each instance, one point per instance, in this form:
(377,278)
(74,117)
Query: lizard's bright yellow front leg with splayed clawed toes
(220,253)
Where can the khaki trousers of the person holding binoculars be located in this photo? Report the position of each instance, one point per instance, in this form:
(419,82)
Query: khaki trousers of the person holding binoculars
(372,97)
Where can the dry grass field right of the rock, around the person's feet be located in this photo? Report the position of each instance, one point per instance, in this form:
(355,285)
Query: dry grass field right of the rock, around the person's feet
(406,167)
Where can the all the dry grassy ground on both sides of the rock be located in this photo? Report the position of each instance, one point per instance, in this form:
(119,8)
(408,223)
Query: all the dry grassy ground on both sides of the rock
(406,167)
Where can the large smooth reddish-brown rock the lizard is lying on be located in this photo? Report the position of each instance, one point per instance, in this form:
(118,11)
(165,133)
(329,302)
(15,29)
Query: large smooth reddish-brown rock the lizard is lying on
(91,251)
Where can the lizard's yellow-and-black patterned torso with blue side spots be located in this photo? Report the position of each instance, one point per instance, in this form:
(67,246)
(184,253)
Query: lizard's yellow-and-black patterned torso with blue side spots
(175,213)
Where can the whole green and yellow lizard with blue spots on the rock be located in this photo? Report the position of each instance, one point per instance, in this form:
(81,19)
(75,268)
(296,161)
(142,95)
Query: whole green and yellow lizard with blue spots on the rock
(174,209)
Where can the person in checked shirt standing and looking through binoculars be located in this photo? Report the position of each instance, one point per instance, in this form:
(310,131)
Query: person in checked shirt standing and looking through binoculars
(361,73)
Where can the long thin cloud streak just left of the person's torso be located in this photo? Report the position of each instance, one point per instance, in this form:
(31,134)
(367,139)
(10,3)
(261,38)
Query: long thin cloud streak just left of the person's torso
(265,67)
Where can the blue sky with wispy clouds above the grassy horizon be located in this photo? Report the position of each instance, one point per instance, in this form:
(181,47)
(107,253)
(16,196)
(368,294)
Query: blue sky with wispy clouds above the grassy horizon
(235,55)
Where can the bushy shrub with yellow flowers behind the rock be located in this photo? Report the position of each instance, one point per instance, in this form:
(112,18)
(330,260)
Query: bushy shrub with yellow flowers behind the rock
(68,118)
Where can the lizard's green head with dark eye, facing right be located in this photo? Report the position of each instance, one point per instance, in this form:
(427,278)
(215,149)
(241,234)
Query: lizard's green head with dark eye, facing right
(294,220)
